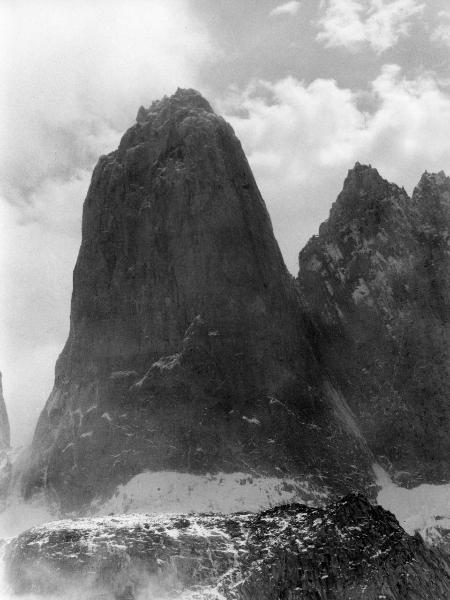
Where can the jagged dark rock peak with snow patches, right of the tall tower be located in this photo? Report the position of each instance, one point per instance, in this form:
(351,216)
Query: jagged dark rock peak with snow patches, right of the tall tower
(376,281)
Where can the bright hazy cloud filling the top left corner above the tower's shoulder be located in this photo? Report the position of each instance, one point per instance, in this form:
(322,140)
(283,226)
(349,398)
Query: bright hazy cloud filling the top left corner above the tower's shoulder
(75,75)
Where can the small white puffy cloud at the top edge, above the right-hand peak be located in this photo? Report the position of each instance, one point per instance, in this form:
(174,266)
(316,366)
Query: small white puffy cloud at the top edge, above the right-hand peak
(378,23)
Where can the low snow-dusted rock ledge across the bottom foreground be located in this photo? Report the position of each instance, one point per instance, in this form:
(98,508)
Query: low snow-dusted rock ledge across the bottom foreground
(349,550)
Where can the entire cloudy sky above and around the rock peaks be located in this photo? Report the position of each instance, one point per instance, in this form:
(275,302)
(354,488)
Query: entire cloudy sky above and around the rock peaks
(310,87)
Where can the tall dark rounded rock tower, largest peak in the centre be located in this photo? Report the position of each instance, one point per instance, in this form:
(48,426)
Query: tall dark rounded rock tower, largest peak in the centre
(187,347)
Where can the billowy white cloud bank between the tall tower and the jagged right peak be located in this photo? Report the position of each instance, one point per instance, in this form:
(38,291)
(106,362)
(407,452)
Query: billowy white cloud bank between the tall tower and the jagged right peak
(302,138)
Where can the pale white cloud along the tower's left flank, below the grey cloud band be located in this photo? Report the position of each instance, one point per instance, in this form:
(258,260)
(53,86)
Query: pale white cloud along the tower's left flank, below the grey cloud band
(38,249)
